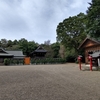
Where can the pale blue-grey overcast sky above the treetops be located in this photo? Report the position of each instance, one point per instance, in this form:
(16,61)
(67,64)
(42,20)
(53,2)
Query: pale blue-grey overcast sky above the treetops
(36,19)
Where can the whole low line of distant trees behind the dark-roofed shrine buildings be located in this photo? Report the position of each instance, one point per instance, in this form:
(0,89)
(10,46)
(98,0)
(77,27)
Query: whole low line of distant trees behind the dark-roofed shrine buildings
(29,46)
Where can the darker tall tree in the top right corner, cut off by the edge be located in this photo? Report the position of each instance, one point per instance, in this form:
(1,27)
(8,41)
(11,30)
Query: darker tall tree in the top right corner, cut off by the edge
(93,16)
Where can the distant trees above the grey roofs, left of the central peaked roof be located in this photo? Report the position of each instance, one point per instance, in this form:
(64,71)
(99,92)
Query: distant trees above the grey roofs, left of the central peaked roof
(22,44)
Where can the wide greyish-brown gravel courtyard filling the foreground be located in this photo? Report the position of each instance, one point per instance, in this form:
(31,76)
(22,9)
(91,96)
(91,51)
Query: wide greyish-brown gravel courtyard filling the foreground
(48,82)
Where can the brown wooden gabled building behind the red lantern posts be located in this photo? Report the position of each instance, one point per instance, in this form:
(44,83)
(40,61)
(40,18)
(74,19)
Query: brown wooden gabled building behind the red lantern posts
(91,47)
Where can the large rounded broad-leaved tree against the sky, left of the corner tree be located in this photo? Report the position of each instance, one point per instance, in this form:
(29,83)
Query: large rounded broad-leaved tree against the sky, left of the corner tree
(71,31)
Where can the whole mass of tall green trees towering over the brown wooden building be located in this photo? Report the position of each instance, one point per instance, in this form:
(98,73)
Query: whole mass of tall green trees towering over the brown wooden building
(73,30)
